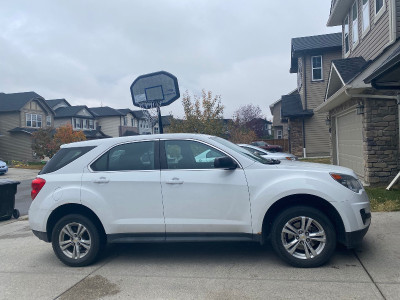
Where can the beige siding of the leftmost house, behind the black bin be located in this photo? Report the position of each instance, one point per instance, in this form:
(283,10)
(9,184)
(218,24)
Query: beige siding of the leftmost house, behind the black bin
(14,146)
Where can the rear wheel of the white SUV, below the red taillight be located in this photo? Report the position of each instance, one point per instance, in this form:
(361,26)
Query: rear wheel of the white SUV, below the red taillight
(76,253)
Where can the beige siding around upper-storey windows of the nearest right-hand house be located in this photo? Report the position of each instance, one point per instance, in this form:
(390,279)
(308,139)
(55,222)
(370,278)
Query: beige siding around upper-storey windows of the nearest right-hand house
(375,40)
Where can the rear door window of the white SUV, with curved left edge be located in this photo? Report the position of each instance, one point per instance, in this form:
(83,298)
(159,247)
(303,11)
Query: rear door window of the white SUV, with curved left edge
(127,157)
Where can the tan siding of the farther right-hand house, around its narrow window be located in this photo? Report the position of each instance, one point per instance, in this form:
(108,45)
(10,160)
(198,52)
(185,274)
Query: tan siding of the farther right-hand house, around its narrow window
(316,130)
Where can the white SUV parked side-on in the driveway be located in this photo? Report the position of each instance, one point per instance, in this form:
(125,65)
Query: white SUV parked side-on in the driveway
(152,188)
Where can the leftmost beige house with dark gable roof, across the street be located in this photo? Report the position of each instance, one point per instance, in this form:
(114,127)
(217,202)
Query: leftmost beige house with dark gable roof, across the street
(21,114)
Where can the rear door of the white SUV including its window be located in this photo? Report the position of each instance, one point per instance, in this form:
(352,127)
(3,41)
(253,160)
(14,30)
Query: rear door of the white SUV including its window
(123,186)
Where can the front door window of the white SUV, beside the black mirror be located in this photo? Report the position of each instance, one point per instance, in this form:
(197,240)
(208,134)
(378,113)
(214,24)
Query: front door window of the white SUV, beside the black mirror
(190,155)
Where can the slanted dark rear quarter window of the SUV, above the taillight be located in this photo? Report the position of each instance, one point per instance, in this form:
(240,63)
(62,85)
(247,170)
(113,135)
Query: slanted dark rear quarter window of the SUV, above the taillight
(64,157)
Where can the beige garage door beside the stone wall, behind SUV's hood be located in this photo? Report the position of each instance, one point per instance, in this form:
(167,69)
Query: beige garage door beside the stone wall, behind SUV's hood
(350,142)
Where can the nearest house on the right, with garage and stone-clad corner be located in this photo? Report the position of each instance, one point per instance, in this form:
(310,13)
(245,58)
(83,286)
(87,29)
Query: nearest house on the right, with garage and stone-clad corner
(363,87)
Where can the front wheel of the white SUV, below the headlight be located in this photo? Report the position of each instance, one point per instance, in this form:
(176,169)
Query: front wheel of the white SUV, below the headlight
(322,243)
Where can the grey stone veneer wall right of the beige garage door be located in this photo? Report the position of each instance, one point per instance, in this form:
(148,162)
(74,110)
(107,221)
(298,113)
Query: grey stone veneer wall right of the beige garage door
(381,140)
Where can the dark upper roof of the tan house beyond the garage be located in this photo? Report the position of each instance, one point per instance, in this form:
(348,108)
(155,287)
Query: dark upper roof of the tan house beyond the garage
(324,42)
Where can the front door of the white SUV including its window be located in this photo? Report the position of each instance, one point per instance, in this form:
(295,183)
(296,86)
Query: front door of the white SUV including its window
(198,198)
